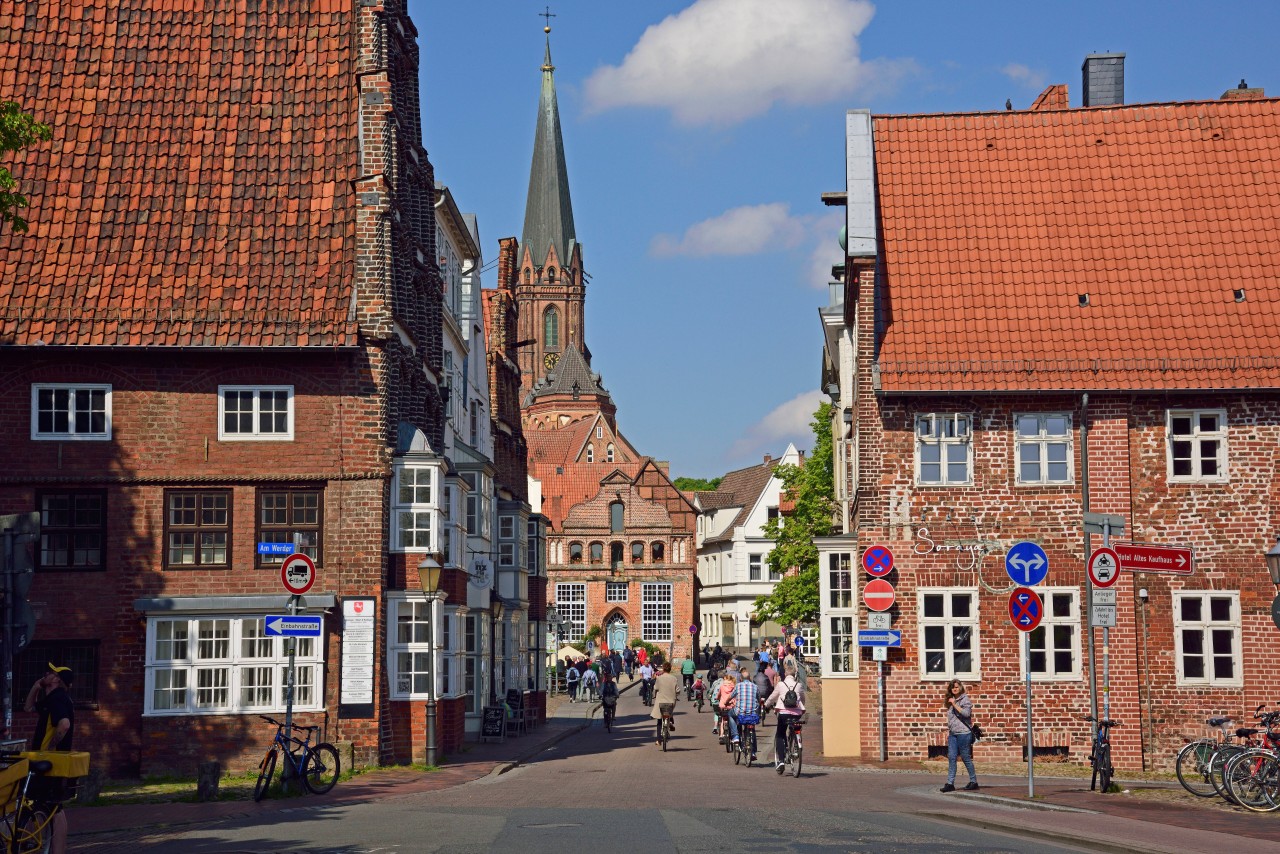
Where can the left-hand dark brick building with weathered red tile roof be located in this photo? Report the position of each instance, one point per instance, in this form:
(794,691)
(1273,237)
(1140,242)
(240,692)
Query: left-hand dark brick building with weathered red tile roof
(225,330)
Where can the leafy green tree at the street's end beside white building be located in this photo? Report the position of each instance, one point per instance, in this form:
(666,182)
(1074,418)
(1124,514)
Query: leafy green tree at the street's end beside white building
(812,490)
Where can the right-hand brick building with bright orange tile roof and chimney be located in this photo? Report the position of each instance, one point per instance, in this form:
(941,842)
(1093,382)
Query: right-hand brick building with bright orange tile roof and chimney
(1045,313)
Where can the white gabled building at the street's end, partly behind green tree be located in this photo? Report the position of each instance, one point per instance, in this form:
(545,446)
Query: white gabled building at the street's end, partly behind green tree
(734,554)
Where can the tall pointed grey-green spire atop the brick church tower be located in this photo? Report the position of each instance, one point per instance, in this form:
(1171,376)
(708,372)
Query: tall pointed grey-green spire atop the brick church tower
(548,212)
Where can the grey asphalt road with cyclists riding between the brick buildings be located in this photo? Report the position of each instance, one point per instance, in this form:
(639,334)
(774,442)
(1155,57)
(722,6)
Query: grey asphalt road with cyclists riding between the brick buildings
(619,793)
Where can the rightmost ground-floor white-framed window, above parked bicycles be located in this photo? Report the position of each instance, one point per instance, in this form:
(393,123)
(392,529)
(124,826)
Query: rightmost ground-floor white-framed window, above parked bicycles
(1208,637)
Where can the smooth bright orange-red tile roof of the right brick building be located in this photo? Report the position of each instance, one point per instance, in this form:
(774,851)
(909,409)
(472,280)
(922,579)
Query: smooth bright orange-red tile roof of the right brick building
(995,225)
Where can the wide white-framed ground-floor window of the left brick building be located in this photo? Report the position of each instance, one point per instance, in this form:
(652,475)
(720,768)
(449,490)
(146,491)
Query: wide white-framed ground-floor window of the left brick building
(226,665)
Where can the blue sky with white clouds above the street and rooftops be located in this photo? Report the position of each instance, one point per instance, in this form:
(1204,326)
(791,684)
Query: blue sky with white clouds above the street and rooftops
(700,138)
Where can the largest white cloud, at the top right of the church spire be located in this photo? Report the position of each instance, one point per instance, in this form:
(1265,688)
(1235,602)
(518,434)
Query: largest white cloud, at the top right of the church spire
(721,62)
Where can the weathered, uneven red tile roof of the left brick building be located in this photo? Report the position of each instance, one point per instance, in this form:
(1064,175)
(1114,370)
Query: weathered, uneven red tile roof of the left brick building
(198,190)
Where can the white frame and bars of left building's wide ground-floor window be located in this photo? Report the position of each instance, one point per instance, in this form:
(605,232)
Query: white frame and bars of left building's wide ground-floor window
(236,666)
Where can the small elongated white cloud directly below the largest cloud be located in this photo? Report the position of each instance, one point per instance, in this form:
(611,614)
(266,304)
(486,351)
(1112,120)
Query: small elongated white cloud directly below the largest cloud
(739,231)
